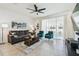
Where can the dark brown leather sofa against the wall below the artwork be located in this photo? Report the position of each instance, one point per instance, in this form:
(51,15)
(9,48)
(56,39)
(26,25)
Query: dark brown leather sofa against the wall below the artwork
(17,36)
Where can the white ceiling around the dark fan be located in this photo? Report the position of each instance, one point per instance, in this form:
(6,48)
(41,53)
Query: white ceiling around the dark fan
(51,8)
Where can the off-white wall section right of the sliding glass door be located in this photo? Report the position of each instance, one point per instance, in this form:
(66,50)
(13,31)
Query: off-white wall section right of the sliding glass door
(68,27)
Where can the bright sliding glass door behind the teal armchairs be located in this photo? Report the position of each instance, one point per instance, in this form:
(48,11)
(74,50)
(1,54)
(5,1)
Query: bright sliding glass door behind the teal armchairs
(56,25)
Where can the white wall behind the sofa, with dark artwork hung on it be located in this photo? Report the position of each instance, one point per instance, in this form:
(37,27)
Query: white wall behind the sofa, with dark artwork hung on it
(7,16)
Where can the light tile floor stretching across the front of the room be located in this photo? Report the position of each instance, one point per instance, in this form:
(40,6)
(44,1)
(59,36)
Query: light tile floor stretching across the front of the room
(41,48)
